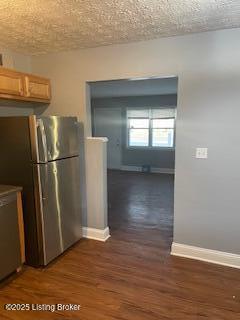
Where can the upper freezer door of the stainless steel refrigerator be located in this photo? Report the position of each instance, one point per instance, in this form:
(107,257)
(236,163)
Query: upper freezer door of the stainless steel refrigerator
(55,138)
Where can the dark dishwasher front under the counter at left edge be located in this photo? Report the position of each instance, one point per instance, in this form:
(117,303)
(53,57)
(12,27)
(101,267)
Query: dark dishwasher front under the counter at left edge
(10,257)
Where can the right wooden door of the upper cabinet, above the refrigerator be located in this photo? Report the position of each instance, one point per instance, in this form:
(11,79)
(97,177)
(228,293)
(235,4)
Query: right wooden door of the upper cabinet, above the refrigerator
(37,88)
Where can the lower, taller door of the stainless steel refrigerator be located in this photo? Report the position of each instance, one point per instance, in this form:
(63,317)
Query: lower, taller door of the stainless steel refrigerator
(60,206)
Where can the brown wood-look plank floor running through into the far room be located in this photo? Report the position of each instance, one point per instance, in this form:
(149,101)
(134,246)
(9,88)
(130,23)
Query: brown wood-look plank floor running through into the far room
(132,275)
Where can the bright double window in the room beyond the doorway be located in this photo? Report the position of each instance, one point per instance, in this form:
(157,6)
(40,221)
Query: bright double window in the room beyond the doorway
(151,127)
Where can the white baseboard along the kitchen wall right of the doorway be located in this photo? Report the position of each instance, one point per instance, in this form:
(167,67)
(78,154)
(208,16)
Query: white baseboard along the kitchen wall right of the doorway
(212,256)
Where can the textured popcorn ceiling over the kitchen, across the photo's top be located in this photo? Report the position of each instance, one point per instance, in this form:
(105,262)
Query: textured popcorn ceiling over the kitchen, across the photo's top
(42,26)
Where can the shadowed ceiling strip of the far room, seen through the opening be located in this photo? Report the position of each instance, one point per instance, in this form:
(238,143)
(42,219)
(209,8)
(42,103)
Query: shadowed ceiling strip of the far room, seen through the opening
(126,88)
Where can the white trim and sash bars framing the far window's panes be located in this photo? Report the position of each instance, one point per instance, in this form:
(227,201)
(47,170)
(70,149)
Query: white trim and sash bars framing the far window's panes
(150,129)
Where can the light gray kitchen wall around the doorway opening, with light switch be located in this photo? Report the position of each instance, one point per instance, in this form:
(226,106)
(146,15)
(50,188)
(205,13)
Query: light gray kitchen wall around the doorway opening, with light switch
(206,191)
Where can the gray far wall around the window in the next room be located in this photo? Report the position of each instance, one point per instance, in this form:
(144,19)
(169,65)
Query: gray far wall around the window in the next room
(139,157)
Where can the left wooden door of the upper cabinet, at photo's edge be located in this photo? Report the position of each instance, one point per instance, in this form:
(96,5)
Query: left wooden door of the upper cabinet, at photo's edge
(11,82)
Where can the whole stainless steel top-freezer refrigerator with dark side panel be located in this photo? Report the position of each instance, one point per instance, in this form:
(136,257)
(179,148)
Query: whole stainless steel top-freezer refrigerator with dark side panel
(41,154)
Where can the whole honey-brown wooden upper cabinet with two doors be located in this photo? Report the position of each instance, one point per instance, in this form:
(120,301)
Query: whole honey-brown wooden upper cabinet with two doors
(25,87)
